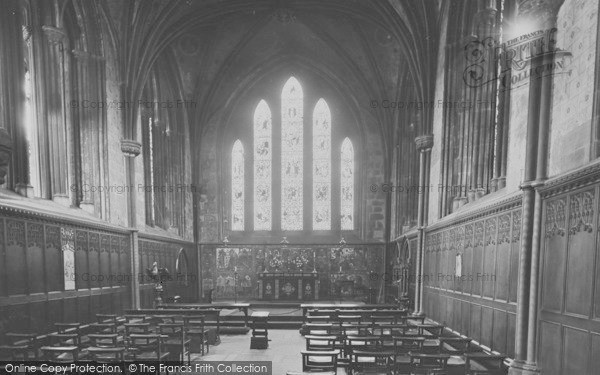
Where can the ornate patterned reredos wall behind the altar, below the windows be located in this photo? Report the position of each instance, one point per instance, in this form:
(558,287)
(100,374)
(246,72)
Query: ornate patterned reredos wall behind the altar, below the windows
(354,264)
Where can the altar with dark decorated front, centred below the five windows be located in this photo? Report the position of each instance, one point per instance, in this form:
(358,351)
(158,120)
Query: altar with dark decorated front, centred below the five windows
(282,286)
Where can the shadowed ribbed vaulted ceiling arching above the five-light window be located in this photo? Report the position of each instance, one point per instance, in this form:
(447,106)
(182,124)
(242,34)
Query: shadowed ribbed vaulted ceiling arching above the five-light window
(367,50)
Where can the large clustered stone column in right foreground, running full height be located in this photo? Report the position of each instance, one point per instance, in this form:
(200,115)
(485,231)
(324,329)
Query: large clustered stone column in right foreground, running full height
(543,14)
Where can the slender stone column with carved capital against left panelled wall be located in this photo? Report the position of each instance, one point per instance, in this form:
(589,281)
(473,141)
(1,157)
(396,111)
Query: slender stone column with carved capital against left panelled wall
(131,149)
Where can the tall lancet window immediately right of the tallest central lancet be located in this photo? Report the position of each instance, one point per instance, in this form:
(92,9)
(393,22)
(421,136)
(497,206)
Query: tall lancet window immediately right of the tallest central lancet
(322,166)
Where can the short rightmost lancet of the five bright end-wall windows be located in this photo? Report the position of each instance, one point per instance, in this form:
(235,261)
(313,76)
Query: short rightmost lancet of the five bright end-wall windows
(347,185)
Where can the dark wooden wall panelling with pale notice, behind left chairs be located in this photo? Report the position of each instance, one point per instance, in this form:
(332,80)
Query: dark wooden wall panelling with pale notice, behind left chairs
(57,271)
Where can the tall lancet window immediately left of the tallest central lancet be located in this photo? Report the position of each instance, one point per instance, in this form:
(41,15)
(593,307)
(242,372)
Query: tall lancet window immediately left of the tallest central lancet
(262,167)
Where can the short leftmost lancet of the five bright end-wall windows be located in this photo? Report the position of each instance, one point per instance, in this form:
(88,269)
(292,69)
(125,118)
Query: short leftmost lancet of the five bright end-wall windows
(237,186)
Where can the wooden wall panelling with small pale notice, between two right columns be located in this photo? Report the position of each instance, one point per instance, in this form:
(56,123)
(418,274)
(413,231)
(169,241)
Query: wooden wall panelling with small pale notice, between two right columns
(470,275)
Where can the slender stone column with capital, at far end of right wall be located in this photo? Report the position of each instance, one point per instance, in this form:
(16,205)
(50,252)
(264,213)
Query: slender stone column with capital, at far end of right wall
(424,144)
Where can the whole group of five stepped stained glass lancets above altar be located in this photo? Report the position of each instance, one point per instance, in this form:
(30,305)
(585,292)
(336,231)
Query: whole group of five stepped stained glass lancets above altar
(328,191)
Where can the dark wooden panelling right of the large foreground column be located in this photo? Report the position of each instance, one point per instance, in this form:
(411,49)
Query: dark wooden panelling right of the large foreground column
(569,310)
